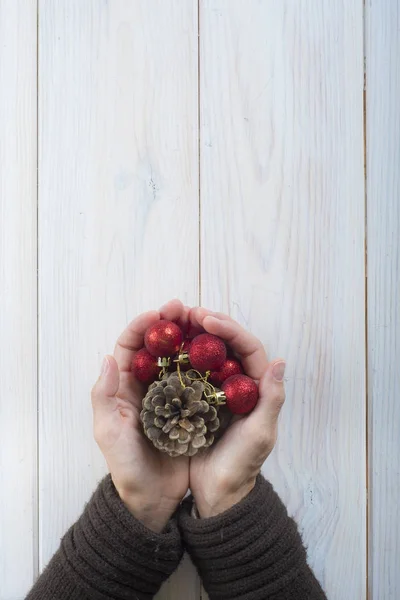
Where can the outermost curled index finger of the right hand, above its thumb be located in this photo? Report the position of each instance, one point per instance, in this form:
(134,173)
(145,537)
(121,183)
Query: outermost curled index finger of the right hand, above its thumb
(249,348)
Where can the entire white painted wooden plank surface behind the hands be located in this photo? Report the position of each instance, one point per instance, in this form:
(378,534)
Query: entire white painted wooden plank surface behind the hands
(282,210)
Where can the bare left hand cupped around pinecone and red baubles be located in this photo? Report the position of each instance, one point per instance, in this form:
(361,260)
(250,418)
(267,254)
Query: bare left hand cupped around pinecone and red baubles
(150,483)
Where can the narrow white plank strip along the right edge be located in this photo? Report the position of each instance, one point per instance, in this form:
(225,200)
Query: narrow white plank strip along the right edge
(383,218)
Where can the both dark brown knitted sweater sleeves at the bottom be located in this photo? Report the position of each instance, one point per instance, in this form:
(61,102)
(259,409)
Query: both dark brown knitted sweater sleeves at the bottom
(251,552)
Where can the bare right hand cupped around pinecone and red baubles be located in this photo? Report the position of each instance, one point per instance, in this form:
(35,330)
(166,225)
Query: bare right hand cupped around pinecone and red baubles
(226,473)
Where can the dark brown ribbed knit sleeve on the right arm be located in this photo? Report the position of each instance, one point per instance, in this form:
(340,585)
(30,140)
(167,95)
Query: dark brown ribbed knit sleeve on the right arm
(253,551)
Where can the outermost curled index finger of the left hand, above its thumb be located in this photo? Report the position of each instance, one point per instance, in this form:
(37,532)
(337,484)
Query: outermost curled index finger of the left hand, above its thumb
(132,339)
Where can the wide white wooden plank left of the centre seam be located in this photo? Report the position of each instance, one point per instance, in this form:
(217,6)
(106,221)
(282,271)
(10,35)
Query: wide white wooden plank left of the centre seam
(118,214)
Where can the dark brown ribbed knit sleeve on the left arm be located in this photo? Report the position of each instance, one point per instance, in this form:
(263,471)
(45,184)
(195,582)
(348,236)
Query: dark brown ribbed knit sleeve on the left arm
(109,555)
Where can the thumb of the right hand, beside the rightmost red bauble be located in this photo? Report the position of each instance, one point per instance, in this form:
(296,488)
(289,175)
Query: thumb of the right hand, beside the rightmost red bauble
(272,394)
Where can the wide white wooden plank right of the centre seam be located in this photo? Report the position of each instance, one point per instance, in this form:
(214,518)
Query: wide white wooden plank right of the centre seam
(282,204)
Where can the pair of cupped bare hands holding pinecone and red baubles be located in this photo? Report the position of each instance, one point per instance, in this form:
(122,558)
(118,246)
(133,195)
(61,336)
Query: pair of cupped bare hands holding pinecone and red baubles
(152,484)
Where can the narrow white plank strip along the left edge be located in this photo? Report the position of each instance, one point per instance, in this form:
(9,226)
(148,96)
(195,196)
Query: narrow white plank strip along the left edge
(18,356)
